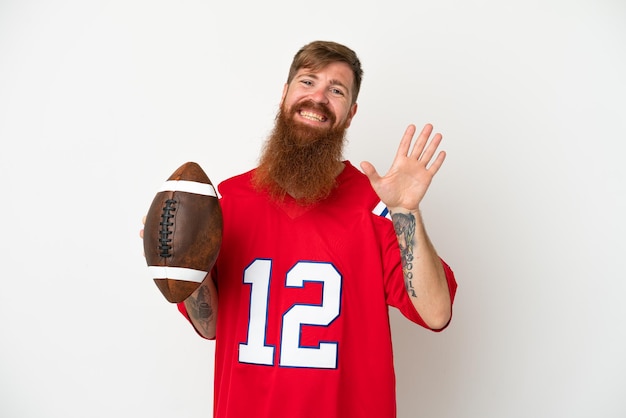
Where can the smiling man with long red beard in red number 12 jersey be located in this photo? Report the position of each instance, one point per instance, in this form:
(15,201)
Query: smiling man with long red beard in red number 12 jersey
(308,267)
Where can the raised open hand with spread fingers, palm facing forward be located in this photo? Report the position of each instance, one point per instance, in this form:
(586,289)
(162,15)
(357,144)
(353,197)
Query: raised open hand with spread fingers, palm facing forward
(411,172)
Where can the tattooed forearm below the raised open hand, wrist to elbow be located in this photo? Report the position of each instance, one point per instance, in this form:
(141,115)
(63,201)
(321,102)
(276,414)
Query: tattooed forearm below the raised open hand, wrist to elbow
(424,276)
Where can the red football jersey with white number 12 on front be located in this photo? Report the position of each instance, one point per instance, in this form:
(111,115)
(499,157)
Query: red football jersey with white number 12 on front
(303,325)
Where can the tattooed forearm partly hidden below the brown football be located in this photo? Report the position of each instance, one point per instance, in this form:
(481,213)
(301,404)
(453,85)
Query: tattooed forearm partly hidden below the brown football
(202,308)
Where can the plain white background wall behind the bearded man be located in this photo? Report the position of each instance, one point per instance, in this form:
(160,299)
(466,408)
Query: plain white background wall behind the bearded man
(101,100)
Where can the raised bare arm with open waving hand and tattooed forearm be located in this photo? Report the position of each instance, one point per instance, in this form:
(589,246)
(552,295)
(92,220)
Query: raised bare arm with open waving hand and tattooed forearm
(402,190)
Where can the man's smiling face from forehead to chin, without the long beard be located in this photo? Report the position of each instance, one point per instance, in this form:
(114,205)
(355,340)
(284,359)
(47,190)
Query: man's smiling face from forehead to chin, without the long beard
(321,100)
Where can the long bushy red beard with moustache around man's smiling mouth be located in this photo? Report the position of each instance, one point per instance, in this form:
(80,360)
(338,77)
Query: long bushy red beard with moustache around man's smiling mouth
(300,160)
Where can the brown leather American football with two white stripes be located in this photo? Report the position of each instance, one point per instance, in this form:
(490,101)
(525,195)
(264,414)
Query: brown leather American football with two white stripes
(183,232)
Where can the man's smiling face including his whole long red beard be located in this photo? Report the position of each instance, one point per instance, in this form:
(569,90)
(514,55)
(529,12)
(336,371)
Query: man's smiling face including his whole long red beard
(302,156)
